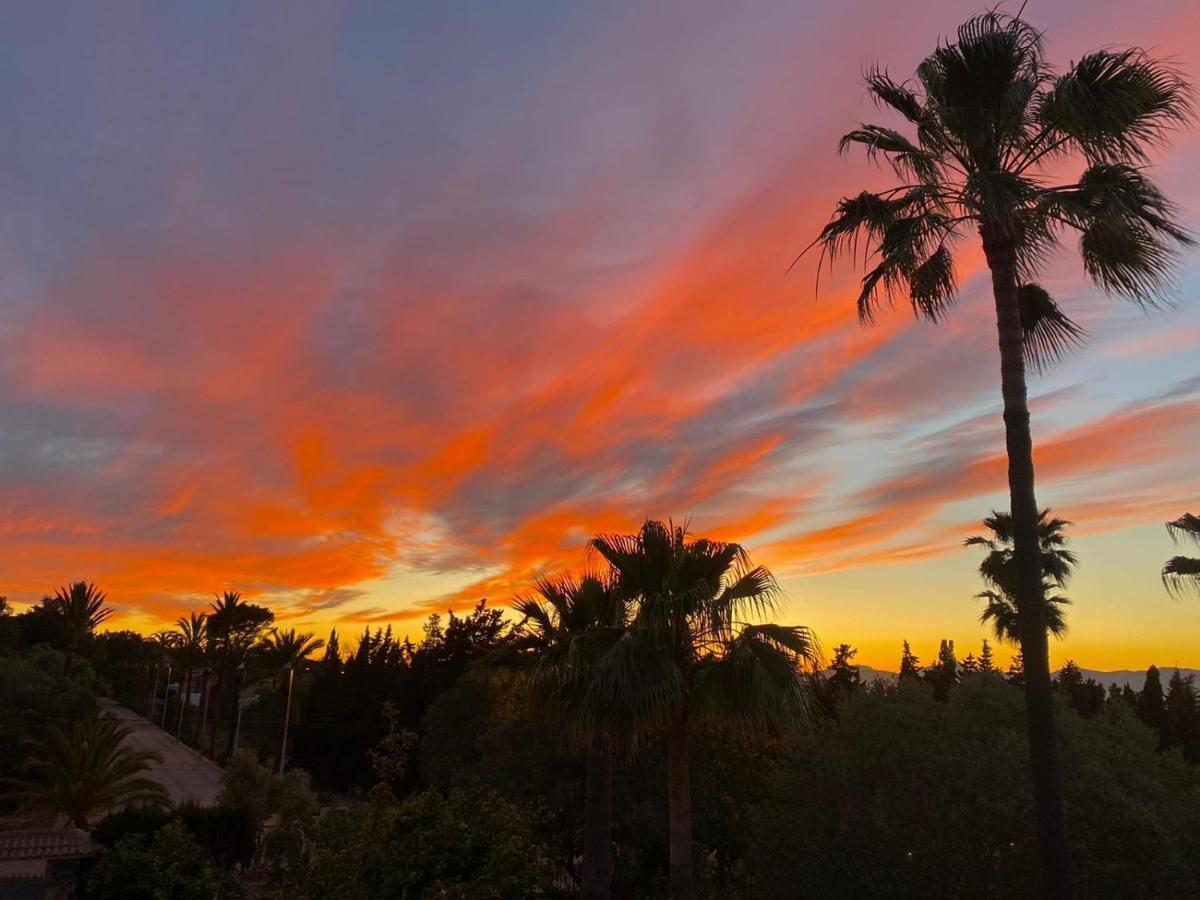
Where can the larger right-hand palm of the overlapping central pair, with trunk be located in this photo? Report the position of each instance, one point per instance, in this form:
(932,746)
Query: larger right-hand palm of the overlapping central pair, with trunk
(692,653)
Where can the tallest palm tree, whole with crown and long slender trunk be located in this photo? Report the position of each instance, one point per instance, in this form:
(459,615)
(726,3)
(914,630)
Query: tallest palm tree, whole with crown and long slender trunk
(991,118)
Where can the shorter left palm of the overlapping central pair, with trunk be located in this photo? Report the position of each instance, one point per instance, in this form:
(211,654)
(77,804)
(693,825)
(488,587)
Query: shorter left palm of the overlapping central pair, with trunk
(562,638)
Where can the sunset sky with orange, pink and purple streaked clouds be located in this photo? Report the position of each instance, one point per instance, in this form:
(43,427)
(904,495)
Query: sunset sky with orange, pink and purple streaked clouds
(373,310)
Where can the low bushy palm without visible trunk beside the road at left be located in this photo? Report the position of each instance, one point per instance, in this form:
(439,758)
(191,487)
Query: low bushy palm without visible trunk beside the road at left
(86,771)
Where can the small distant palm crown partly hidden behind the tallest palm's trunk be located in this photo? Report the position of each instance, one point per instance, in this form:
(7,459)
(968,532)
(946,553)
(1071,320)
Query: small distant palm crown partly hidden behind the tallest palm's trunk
(999,571)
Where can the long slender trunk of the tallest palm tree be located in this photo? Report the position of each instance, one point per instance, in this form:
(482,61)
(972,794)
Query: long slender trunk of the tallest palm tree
(1057,881)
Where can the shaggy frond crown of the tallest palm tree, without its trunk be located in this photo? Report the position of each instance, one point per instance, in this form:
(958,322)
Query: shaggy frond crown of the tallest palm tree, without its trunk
(989,117)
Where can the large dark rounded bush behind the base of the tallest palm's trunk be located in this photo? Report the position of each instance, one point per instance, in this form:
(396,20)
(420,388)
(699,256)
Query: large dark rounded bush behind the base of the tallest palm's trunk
(907,796)
